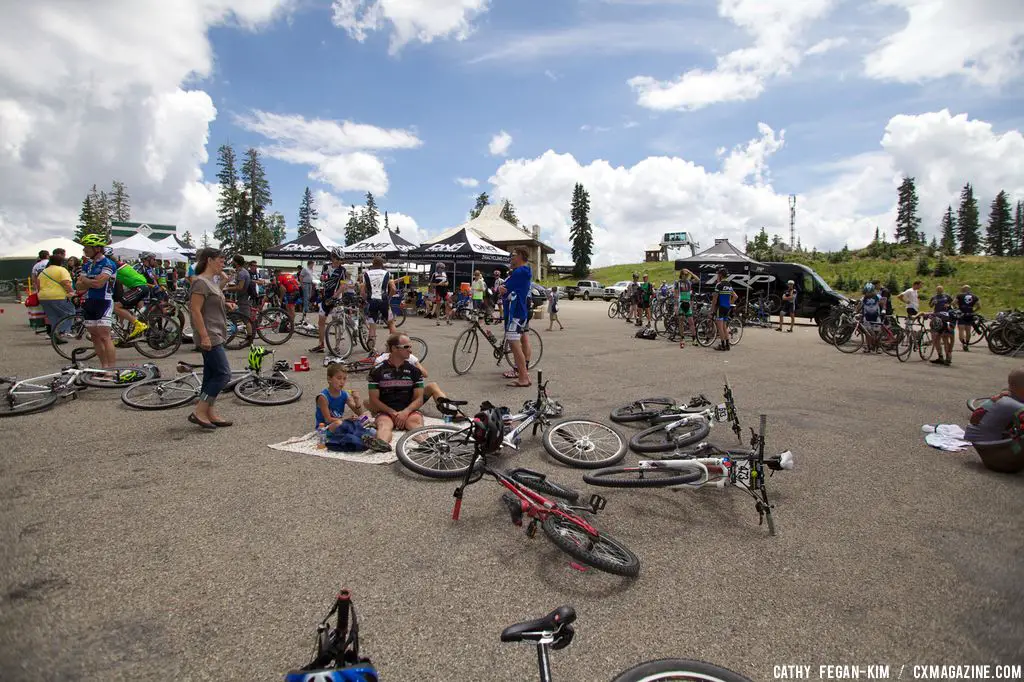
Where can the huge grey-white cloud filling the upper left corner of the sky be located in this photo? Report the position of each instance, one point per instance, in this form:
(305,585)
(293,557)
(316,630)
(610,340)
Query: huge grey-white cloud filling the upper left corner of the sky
(76,112)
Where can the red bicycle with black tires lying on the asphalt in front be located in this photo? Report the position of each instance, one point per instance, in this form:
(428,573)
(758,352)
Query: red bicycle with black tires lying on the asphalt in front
(564,524)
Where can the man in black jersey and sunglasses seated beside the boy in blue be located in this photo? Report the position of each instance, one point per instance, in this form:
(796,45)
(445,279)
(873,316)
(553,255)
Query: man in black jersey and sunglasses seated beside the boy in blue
(397,390)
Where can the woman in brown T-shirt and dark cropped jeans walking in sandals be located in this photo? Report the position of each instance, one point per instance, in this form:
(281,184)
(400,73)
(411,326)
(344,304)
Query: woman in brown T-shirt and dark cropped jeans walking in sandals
(209,320)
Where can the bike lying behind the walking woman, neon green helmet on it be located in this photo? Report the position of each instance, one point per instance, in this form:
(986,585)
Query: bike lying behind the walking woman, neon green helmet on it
(249,386)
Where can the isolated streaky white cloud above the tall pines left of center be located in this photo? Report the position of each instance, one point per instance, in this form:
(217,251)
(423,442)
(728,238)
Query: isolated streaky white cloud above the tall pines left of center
(335,150)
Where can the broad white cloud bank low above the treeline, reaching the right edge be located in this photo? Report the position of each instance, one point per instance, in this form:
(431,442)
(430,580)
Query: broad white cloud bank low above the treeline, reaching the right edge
(631,207)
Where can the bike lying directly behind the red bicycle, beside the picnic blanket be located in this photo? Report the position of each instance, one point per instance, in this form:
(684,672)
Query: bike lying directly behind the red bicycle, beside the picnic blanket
(446,451)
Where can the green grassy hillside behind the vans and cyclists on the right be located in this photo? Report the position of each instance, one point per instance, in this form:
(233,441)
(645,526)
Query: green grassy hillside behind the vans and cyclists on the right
(999,282)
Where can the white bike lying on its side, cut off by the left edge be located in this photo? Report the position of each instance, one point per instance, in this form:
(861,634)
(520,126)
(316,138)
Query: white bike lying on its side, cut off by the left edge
(38,394)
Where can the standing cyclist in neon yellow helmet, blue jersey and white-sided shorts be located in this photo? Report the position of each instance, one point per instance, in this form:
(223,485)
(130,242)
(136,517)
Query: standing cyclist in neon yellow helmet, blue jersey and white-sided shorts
(97,281)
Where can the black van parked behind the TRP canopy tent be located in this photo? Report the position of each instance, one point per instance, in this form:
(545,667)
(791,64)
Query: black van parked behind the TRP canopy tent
(815,296)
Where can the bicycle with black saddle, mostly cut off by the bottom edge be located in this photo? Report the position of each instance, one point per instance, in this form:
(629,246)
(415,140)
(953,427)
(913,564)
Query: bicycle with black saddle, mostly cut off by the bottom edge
(336,655)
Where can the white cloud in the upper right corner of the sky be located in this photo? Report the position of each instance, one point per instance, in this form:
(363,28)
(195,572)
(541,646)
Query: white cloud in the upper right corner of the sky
(980,40)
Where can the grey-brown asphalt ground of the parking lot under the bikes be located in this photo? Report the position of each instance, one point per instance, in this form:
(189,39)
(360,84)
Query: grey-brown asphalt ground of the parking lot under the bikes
(137,546)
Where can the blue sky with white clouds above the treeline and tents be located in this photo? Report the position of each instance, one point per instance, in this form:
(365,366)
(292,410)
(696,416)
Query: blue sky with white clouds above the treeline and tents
(676,115)
